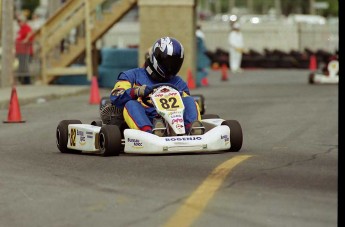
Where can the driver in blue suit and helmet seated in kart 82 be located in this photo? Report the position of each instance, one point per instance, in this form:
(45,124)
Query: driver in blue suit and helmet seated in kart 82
(164,61)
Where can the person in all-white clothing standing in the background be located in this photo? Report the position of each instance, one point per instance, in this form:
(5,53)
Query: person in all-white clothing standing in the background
(236,43)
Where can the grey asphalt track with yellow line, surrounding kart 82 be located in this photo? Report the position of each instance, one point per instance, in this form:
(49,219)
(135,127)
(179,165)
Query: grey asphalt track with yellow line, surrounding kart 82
(285,175)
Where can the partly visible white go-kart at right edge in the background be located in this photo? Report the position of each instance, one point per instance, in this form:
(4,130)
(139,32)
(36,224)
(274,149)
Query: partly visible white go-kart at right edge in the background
(329,74)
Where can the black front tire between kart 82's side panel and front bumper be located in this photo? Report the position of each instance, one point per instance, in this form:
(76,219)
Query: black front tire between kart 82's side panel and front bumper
(110,140)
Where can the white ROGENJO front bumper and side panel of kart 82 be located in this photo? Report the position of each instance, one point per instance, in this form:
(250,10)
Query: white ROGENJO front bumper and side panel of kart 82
(84,137)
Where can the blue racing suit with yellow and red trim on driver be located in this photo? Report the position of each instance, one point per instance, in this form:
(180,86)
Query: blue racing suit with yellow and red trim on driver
(137,115)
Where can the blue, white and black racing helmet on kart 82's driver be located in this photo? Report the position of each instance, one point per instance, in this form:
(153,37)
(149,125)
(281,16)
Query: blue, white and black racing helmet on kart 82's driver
(164,59)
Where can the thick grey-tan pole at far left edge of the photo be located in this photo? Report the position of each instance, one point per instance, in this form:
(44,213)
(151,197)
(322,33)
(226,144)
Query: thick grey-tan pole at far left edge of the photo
(7,76)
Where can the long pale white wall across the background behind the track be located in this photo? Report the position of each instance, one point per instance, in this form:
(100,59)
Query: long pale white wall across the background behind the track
(282,36)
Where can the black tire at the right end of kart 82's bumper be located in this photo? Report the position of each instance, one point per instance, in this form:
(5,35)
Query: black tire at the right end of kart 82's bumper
(236,136)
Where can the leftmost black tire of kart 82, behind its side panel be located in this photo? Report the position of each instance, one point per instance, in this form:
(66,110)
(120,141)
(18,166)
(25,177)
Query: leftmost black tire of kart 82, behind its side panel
(62,136)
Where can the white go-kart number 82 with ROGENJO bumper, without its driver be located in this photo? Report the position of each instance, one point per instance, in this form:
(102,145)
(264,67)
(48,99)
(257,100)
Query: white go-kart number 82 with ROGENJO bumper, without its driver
(111,136)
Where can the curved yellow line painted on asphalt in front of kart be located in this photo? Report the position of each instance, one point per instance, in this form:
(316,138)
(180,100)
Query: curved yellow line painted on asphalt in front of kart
(198,200)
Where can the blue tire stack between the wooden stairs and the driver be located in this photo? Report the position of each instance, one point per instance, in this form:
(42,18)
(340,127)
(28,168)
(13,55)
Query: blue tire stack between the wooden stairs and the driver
(114,61)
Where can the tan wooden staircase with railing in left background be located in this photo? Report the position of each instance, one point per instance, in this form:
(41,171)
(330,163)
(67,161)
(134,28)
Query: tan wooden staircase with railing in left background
(85,21)
